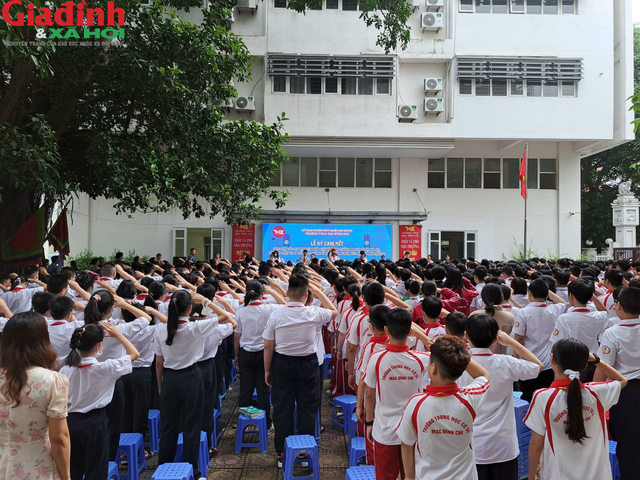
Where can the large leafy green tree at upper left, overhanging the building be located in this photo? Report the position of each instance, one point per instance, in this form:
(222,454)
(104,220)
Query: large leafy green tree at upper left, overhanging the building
(138,122)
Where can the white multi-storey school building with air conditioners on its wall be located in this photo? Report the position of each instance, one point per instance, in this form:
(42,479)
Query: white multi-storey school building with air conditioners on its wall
(432,135)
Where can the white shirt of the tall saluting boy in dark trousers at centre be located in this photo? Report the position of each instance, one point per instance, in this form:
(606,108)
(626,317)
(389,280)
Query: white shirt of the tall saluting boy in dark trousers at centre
(294,329)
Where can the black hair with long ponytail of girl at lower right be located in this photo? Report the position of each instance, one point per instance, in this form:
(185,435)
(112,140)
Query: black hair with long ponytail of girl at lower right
(572,356)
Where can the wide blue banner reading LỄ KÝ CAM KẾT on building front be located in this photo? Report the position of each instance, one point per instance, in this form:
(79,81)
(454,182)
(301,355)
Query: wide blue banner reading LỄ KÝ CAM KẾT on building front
(291,239)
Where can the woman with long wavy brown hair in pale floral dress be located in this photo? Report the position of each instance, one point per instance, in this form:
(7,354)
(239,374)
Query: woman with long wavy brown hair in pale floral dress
(34,438)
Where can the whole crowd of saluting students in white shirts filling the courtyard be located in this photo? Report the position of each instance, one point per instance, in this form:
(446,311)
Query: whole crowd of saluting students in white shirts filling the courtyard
(433,351)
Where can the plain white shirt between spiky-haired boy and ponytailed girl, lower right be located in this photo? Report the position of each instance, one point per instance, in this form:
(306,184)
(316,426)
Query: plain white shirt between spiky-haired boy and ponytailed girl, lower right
(495,438)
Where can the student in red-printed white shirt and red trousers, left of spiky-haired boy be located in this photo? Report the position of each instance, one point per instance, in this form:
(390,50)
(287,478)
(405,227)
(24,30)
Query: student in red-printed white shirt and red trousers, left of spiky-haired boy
(393,375)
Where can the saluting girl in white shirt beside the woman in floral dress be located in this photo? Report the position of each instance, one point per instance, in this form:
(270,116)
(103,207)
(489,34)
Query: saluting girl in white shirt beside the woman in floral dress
(91,385)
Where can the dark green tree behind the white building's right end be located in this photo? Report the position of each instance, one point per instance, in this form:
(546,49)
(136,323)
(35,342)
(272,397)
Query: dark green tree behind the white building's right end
(601,173)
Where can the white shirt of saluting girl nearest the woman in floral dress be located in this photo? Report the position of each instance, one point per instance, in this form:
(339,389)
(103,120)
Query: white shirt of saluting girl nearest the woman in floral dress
(91,383)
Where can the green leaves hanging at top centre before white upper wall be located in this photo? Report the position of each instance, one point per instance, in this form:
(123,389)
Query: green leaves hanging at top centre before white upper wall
(388,16)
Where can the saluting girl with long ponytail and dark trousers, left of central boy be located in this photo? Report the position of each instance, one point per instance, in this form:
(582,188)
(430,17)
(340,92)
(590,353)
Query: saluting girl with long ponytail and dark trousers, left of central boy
(178,346)
